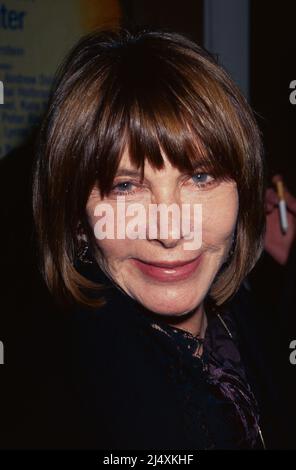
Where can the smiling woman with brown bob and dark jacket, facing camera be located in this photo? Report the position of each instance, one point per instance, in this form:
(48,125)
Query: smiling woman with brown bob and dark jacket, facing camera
(142,120)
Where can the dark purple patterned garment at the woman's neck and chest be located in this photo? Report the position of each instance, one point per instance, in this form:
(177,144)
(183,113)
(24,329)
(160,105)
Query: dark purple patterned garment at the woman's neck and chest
(219,369)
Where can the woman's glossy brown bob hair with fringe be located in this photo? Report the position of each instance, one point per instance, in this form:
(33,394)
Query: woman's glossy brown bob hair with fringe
(143,89)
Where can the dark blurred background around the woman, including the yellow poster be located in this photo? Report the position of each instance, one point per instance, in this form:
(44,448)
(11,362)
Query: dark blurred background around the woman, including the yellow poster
(255,42)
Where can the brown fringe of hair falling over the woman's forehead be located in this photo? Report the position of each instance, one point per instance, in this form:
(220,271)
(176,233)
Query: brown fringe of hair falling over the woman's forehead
(184,117)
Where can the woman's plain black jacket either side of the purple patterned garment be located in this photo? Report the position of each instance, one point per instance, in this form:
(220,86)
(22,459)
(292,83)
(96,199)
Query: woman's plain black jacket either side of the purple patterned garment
(125,399)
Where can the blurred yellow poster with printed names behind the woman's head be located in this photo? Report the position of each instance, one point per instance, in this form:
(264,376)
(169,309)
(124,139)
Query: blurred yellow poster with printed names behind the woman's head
(34,37)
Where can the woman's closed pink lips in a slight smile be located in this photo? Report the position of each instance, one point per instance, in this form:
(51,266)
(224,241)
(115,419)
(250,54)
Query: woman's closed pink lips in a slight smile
(168,271)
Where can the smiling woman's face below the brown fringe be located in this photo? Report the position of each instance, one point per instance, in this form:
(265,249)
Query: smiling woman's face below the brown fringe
(159,269)
